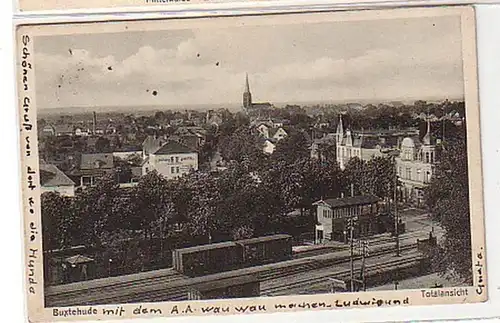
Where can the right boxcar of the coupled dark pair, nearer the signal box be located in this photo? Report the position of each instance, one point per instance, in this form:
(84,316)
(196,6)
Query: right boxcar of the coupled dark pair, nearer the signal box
(261,250)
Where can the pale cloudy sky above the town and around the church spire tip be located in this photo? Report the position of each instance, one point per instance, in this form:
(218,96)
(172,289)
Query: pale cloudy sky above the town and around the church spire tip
(392,59)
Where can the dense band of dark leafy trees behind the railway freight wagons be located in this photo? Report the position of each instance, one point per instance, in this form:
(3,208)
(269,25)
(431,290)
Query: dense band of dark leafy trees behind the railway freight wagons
(201,207)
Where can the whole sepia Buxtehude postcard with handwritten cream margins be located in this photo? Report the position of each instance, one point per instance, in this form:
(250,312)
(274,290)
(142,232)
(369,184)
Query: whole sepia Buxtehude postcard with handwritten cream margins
(251,164)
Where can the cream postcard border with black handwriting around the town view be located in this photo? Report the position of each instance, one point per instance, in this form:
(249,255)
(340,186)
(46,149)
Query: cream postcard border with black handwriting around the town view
(31,200)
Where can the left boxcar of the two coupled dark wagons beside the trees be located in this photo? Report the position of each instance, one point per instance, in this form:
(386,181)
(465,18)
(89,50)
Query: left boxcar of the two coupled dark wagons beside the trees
(207,259)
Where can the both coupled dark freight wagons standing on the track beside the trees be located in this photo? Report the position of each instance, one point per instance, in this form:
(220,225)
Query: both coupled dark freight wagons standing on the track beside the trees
(224,256)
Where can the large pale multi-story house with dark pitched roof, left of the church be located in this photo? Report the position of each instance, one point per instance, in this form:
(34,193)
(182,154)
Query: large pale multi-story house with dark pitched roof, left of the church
(171,160)
